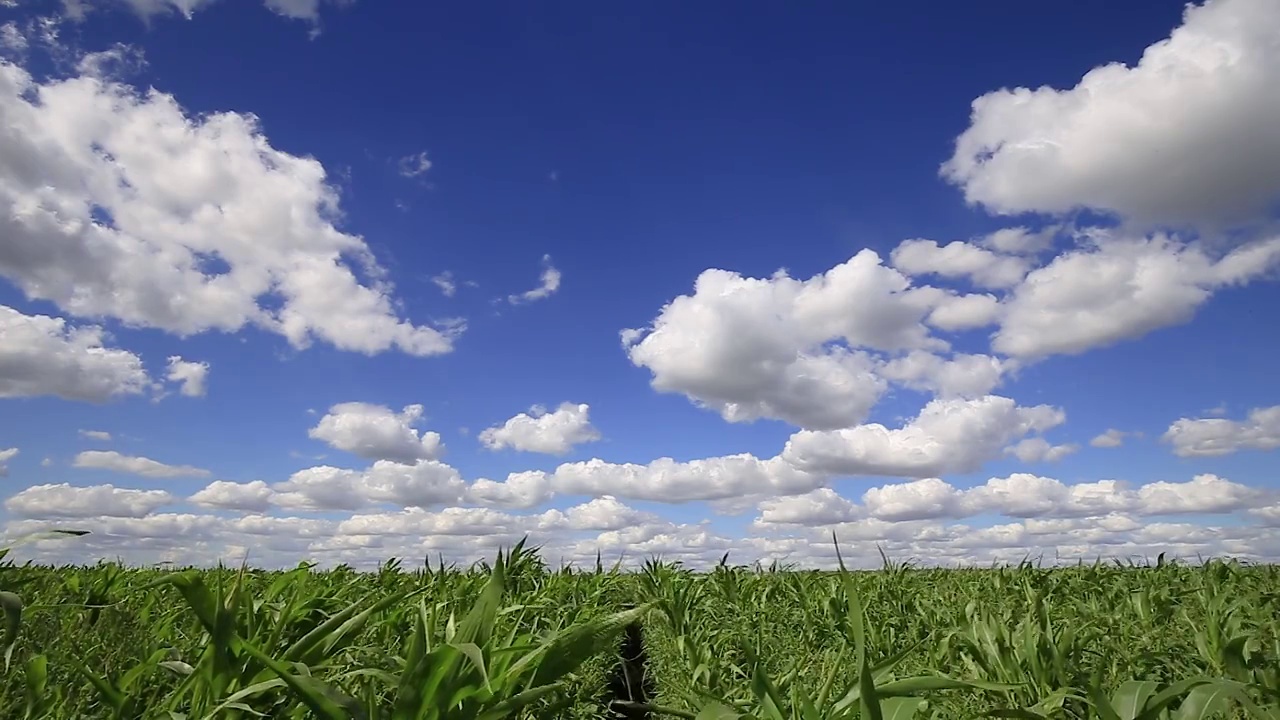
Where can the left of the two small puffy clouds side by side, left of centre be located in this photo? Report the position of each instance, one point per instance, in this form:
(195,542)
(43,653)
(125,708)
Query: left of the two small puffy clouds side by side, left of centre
(378,434)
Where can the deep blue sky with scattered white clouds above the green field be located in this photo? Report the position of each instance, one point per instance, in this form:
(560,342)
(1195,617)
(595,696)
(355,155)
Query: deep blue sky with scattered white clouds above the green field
(342,281)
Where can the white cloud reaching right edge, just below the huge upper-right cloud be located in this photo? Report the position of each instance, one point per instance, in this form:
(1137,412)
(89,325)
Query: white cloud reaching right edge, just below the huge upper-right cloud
(1119,289)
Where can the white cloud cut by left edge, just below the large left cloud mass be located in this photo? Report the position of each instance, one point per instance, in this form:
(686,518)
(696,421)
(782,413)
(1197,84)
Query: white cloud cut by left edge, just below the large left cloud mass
(43,356)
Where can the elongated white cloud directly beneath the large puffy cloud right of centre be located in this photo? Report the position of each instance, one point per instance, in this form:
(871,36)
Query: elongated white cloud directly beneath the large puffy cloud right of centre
(949,436)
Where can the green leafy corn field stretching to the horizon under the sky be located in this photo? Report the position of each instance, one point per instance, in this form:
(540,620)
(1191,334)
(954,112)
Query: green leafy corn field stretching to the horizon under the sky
(516,640)
